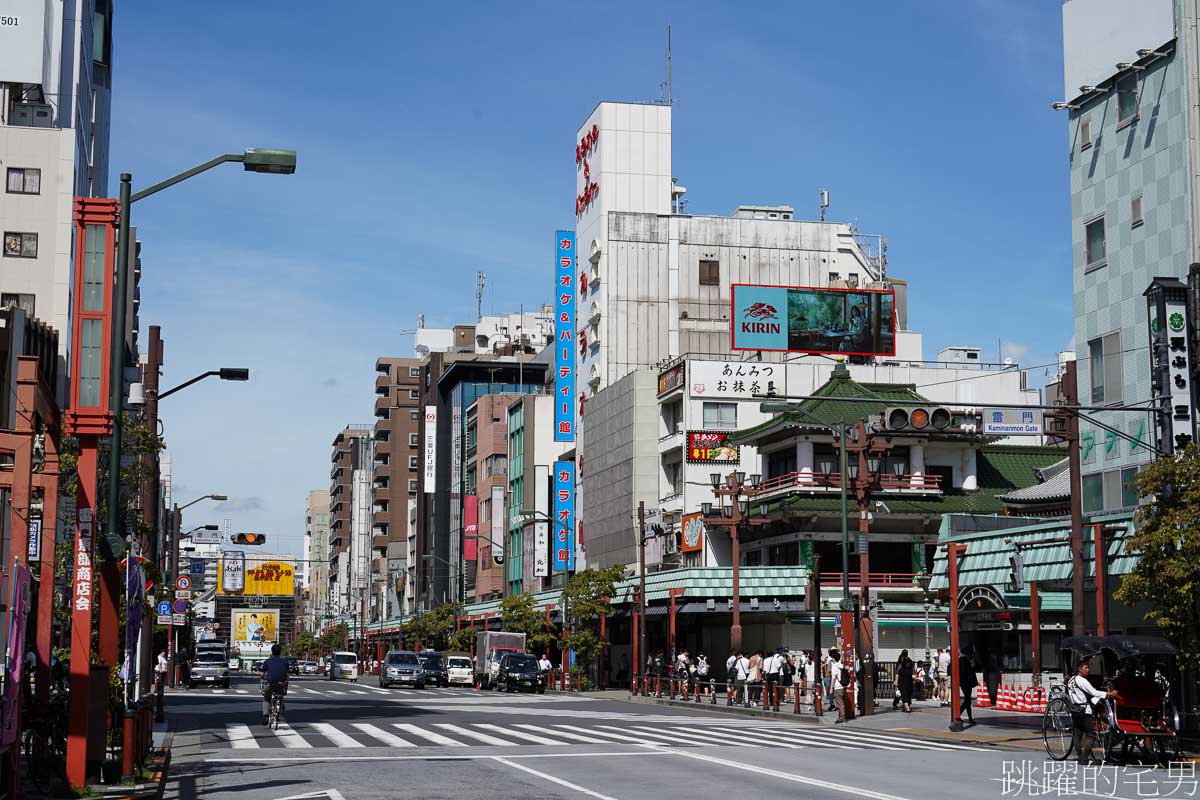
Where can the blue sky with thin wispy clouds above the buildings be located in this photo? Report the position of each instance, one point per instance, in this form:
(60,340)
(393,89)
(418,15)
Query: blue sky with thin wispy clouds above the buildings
(433,147)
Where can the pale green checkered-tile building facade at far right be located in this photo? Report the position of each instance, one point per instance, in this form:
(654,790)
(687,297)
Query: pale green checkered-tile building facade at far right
(1133,135)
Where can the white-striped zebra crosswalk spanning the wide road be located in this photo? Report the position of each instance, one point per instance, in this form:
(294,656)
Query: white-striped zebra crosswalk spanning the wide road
(655,732)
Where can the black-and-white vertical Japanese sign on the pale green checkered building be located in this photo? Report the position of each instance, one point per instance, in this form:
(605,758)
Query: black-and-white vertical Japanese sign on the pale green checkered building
(1171,364)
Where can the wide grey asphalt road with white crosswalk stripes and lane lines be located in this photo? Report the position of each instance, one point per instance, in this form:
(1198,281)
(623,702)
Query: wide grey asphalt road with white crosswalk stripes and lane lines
(350,742)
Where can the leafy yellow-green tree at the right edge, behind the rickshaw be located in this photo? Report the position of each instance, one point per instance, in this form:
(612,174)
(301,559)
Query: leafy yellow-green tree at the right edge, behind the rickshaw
(1167,544)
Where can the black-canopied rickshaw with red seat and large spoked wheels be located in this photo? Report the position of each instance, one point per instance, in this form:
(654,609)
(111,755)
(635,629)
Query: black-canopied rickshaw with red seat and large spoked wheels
(1142,721)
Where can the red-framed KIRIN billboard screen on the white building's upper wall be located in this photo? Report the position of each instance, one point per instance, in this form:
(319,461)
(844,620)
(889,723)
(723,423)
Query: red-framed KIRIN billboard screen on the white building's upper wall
(808,320)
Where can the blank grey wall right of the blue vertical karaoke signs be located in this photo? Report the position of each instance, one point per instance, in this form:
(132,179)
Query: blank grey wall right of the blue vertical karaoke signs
(621,468)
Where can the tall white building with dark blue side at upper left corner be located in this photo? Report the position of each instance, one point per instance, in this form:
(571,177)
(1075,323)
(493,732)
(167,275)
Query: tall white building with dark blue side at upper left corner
(56,92)
